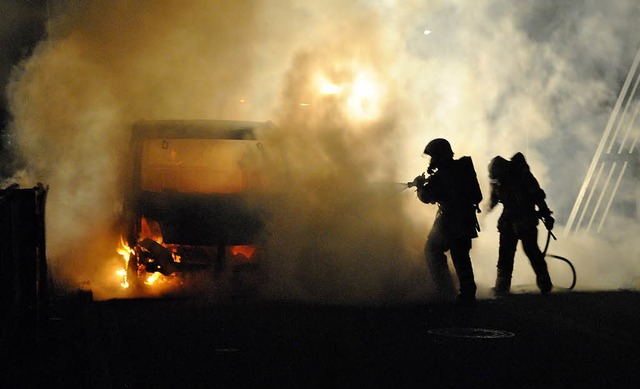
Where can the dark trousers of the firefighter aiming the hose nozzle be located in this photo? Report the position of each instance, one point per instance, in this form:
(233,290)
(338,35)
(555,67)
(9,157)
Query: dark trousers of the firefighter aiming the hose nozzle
(438,243)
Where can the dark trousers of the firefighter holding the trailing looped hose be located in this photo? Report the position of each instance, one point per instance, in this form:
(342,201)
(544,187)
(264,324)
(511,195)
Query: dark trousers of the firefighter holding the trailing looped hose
(509,236)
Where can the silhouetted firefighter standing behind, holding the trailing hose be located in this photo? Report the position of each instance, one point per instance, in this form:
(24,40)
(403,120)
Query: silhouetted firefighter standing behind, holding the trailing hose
(523,201)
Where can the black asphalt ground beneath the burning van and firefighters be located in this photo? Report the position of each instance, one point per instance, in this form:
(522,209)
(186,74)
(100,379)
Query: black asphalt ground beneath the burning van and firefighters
(559,340)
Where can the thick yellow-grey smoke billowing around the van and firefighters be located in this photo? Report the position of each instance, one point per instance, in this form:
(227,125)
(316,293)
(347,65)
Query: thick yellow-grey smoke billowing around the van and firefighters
(356,89)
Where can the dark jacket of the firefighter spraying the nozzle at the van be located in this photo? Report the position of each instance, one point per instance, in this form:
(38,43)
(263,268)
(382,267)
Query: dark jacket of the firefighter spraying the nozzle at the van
(454,187)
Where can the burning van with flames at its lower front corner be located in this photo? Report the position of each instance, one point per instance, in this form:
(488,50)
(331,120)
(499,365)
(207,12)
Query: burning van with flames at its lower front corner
(190,201)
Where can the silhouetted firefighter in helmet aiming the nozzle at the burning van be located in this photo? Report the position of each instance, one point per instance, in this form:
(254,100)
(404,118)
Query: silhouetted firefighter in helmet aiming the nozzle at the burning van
(453,185)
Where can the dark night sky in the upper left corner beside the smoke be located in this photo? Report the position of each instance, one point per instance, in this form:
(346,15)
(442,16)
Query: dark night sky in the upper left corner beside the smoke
(22,25)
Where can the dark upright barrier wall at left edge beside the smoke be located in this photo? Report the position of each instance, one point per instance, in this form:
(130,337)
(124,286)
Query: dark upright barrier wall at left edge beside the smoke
(23,266)
